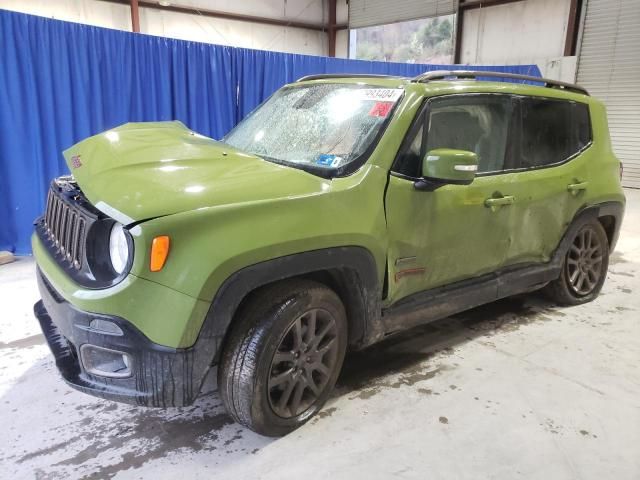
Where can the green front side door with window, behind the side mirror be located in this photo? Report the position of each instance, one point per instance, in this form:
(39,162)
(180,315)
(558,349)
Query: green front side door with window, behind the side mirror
(457,231)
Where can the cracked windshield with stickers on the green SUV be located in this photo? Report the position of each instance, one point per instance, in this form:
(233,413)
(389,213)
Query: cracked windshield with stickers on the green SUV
(316,127)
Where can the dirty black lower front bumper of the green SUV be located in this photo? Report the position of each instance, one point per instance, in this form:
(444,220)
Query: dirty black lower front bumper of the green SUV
(158,376)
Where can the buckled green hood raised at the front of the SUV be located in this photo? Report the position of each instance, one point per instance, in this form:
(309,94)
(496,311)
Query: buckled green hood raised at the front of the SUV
(144,170)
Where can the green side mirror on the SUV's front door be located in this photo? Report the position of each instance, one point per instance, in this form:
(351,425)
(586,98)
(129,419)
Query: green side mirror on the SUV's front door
(444,166)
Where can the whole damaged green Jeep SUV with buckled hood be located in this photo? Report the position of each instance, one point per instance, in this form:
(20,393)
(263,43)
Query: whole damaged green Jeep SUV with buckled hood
(341,211)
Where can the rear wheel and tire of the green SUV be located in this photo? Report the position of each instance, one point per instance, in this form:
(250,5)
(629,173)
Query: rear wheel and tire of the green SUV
(587,258)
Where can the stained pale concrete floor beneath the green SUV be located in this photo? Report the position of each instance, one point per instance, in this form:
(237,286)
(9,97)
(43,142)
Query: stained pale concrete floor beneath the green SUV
(516,389)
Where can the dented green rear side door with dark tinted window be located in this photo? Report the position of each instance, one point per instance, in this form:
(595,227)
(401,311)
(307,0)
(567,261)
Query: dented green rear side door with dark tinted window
(551,140)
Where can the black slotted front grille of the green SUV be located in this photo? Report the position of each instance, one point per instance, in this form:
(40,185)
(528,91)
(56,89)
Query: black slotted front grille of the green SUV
(66,228)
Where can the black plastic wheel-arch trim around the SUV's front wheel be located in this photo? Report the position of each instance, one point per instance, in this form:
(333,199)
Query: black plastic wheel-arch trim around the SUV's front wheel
(357,280)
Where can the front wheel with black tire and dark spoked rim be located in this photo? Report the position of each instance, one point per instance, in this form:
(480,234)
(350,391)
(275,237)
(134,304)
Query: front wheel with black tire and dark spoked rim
(253,380)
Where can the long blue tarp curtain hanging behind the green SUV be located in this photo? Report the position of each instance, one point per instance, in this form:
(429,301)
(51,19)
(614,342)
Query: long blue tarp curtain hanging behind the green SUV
(61,82)
